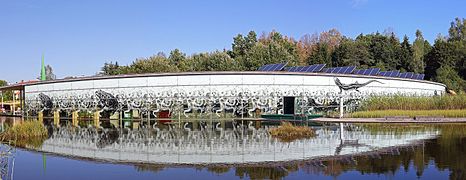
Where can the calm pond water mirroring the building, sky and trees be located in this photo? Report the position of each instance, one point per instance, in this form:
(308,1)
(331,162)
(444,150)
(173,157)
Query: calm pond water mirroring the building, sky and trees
(364,151)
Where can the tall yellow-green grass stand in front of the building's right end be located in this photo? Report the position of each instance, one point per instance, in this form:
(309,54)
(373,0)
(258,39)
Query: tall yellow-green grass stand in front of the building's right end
(415,103)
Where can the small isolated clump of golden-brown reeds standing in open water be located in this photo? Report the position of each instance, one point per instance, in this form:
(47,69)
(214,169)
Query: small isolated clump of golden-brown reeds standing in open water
(287,132)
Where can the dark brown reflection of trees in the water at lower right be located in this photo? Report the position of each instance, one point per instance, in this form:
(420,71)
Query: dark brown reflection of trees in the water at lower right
(447,152)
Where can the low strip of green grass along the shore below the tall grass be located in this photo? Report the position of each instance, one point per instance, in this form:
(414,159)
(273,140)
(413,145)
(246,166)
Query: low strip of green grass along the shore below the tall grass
(453,113)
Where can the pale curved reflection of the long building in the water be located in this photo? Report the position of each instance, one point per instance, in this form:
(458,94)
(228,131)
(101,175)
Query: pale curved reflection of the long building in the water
(226,146)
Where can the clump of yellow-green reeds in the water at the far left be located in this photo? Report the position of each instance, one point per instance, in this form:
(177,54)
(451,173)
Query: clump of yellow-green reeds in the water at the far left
(25,130)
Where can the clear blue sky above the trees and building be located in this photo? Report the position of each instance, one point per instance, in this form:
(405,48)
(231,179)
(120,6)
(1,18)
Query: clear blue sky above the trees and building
(78,37)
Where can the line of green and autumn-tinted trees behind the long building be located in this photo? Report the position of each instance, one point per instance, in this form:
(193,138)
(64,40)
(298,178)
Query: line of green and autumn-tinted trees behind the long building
(444,61)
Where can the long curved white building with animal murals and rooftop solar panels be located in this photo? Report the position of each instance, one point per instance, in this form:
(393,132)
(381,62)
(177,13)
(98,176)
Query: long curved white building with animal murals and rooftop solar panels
(273,89)
